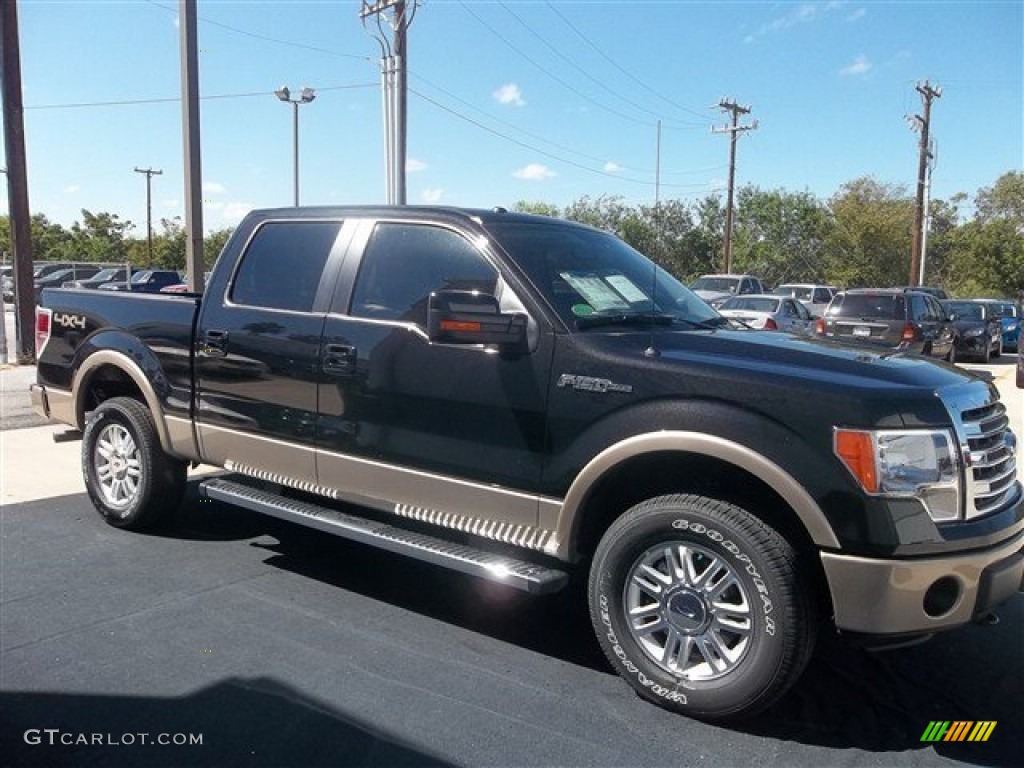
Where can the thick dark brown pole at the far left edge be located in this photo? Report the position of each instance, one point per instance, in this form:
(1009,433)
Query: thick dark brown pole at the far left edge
(18,184)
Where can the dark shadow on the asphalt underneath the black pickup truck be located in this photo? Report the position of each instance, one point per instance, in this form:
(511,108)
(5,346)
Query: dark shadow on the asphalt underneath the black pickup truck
(848,698)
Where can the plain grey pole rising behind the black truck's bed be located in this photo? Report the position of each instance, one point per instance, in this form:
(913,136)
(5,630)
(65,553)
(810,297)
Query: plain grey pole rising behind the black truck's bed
(191,142)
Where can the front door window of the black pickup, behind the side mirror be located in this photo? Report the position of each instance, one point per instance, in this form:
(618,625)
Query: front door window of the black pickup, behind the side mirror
(405,264)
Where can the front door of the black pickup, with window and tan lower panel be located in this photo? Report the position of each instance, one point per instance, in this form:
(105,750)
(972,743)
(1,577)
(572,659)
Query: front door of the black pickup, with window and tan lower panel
(420,429)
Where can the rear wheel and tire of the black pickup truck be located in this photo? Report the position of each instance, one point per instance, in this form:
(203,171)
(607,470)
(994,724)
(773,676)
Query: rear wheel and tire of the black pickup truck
(132,482)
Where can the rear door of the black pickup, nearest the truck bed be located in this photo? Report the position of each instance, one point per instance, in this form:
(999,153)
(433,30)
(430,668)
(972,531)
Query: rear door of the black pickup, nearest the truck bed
(259,356)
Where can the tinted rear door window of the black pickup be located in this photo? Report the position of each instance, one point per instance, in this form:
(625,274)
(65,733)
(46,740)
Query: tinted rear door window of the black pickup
(282,267)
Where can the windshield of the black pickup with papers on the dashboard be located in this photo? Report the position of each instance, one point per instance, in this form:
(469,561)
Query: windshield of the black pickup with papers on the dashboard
(584,273)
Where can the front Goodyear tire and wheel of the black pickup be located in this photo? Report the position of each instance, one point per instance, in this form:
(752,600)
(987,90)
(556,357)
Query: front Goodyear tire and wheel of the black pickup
(696,604)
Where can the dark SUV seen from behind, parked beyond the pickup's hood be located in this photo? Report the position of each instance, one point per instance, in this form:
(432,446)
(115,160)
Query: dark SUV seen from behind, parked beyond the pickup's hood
(902,321)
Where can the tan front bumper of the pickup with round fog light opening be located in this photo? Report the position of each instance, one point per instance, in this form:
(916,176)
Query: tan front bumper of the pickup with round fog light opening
(897,598)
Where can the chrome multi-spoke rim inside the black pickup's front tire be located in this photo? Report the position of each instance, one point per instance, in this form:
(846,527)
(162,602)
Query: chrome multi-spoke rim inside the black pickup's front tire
(689,611)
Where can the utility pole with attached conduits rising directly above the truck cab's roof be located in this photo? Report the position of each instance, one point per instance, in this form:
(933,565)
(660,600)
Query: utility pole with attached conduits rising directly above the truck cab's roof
(395,61)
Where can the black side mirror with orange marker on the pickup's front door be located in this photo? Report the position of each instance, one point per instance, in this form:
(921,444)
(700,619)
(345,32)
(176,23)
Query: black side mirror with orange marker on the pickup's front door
(473,318)
